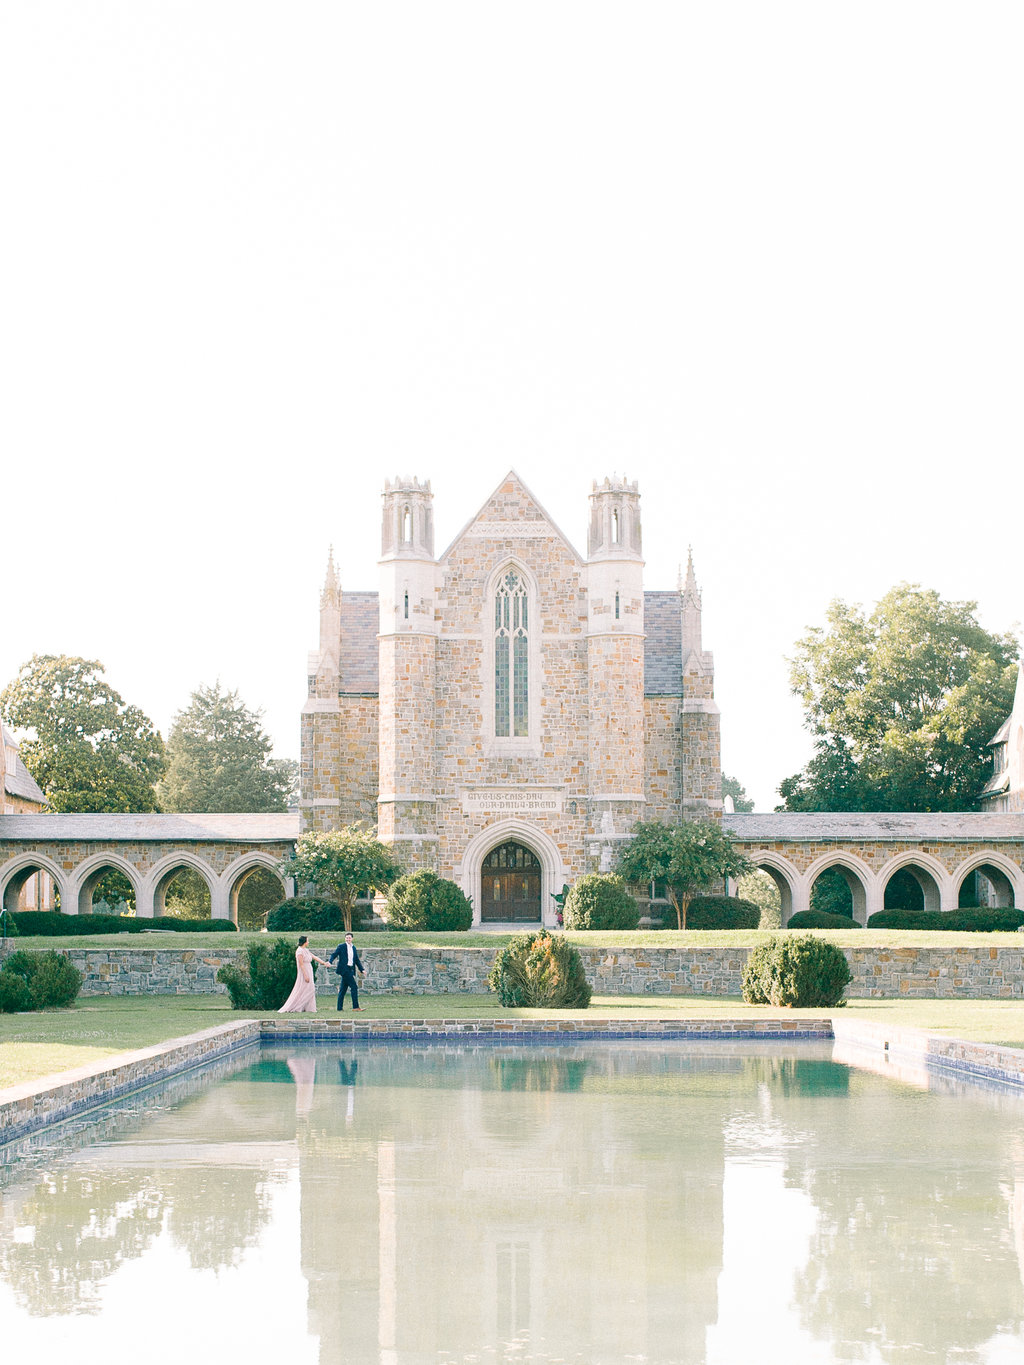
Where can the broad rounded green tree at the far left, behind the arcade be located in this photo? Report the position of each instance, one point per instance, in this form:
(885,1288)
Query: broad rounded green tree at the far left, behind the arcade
(87,747)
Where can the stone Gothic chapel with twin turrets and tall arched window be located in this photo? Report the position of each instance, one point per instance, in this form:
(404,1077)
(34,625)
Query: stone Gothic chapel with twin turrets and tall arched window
(504,712)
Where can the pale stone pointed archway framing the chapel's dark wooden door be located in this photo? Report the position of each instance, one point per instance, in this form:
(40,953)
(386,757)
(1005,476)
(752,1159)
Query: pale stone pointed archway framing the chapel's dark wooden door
(540,865)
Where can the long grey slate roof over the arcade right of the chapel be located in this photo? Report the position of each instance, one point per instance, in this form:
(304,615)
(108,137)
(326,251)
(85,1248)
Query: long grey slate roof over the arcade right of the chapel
(881,825)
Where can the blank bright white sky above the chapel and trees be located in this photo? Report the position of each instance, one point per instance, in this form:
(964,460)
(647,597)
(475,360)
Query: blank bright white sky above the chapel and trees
(256,257)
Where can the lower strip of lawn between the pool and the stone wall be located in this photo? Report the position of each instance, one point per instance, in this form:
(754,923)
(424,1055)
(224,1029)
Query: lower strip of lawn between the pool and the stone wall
(98,1027)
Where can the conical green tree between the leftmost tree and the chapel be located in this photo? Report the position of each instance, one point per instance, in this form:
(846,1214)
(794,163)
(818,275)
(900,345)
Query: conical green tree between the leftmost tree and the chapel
(219,758)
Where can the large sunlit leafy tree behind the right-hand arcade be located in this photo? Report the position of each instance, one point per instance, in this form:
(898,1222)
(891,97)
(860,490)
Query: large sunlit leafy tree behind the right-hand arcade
(902,705)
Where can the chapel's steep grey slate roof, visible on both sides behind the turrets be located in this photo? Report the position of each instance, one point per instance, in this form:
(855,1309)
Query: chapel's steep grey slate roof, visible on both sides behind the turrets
(663,670)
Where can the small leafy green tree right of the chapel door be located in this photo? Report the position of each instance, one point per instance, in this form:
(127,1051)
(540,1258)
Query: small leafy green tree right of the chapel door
(690,859)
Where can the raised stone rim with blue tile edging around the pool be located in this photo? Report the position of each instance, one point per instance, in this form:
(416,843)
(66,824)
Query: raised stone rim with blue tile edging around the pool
(32,1106)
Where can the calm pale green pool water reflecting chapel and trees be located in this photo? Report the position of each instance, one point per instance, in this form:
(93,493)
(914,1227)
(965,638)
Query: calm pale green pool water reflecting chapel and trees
(597,1205)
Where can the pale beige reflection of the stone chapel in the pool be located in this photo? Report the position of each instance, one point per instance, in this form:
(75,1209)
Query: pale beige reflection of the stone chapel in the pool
(524,1225)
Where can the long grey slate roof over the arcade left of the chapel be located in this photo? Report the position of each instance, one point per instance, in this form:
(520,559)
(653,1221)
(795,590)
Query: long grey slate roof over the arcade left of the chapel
(181,829)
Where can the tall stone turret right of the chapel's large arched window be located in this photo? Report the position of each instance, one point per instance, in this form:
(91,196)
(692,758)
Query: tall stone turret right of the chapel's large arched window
(615,657)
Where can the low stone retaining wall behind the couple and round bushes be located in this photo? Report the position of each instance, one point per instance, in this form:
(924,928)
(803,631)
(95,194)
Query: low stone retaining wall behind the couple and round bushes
(977,971)
